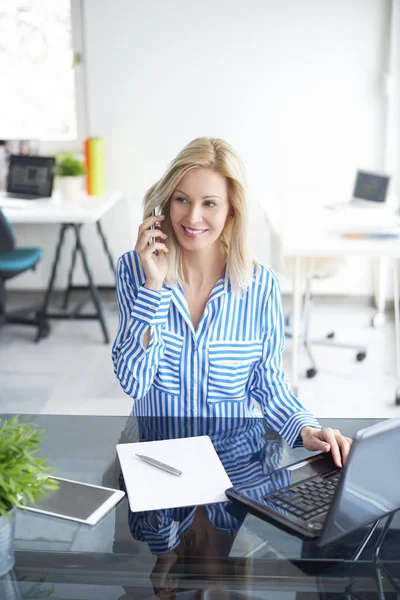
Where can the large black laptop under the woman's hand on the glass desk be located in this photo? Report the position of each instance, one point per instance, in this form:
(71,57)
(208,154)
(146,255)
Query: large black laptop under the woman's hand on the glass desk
(313,499)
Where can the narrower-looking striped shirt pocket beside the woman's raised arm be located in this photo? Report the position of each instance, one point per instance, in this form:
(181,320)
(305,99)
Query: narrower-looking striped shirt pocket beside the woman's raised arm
(168,377)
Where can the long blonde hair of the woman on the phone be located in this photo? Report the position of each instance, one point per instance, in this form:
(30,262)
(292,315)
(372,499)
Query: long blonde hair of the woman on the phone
(219,156)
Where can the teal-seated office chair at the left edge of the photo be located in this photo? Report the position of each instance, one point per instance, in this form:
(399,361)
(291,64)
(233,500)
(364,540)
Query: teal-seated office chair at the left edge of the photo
(13,262)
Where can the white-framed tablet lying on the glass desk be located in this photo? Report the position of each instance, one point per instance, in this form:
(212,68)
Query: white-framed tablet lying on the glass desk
(77,501)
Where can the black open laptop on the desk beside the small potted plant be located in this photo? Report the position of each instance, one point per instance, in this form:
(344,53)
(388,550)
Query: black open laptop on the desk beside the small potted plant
(30,177)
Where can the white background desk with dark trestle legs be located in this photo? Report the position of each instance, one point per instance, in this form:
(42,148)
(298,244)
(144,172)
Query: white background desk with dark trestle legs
(67,215)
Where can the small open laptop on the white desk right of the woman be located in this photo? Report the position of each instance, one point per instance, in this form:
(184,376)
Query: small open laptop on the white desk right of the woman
(370,191)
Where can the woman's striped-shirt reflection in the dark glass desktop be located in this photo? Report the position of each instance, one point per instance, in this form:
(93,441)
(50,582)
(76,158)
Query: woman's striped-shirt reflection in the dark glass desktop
(197,541)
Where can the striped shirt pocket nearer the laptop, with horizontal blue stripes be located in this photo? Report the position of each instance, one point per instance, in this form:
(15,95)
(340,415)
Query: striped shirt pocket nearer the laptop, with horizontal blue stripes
(229,368)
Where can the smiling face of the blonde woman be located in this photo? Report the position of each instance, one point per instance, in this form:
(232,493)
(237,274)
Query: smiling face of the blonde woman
(199,209)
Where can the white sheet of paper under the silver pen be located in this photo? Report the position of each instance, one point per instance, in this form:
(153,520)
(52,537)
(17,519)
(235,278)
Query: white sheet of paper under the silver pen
(203,480)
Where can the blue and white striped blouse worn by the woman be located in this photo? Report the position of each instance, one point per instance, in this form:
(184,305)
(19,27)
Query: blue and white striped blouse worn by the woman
(230,366)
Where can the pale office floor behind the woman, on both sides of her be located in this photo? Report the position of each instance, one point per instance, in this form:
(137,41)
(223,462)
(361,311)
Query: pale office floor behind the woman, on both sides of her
(71,371)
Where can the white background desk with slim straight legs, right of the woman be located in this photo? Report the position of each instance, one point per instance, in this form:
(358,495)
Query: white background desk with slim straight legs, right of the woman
(319,233)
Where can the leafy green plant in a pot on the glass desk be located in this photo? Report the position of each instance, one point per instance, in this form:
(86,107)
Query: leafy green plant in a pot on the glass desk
(23,479)
